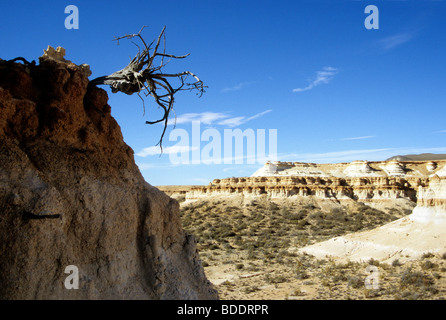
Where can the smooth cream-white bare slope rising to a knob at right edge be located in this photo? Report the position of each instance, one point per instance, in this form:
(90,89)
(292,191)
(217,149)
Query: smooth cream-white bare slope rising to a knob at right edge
(407,238)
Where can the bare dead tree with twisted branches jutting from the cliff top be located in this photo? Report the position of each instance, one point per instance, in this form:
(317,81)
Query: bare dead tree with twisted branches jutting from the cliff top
(144,74)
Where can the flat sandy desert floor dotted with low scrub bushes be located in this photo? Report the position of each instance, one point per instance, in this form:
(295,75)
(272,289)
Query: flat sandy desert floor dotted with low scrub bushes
(250,250)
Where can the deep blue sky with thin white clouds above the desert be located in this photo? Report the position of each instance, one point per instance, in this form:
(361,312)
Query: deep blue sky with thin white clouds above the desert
(334,90)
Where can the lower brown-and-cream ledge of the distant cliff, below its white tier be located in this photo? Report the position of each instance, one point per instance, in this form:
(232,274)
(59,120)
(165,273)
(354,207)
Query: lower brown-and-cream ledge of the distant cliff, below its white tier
(365,189)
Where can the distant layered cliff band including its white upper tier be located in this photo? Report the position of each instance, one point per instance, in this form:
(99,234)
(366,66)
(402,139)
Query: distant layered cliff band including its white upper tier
(379,184)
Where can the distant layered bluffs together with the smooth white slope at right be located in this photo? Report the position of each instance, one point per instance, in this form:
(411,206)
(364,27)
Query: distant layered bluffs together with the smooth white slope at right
(415,187)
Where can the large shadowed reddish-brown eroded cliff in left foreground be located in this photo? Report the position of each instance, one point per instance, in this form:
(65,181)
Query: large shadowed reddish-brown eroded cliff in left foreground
(71,194)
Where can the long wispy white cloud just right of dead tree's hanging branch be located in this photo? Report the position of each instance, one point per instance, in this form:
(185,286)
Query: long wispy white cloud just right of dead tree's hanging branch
(216,118)
